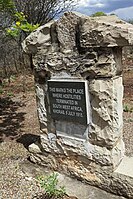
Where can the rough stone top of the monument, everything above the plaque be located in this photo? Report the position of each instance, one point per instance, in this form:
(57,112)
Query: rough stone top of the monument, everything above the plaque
(63,45)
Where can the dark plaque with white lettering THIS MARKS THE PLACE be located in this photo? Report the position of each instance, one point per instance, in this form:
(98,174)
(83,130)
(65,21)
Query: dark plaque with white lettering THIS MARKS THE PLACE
(68,100)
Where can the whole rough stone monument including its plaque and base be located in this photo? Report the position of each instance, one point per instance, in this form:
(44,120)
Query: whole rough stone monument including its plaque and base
(79,90)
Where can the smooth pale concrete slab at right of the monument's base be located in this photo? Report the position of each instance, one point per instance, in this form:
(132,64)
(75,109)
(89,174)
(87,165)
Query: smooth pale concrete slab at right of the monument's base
(126,167)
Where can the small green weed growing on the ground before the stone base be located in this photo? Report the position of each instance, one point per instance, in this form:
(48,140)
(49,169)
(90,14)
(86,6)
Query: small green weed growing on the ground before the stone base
(49,184)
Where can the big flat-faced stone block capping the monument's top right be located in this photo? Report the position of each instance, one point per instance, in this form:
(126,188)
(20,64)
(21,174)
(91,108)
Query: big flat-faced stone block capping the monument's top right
(105,31)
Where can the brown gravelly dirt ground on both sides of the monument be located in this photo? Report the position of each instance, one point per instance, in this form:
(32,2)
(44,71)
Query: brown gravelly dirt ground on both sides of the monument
(19,127)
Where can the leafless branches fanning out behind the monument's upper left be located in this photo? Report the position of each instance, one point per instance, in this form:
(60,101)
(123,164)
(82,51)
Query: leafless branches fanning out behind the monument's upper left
(42,11)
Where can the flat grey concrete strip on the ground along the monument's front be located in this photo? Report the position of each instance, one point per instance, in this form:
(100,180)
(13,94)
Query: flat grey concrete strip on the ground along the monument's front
(72,186)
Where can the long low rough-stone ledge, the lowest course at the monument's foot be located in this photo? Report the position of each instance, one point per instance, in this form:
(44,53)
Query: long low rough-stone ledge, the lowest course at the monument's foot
(91,173)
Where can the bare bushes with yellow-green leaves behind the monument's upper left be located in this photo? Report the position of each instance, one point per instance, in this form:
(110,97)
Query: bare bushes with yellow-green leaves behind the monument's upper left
(20,17)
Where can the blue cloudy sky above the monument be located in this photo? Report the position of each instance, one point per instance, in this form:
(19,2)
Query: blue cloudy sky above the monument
(122,8)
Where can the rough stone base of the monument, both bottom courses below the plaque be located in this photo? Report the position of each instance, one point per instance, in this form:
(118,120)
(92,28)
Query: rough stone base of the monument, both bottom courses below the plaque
(101,173)
